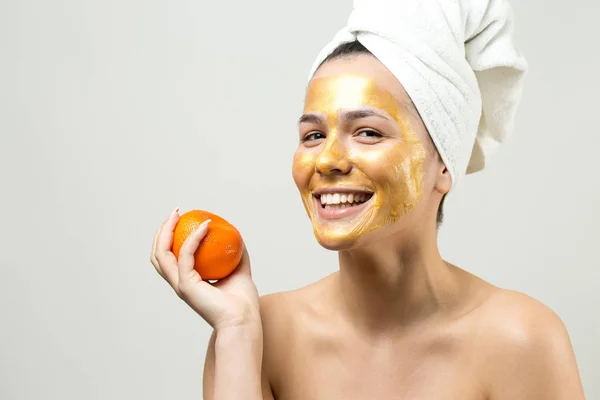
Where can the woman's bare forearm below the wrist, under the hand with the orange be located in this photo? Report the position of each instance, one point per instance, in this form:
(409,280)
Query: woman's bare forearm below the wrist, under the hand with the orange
(233,366)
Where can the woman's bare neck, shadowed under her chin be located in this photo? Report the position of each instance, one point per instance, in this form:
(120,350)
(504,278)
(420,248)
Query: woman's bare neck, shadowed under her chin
(394,283)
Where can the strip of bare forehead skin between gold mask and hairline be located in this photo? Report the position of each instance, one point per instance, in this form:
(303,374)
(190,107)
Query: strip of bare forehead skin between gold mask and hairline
(366,66)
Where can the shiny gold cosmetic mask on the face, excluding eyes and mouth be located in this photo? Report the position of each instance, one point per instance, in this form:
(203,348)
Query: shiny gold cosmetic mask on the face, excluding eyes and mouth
(392,168)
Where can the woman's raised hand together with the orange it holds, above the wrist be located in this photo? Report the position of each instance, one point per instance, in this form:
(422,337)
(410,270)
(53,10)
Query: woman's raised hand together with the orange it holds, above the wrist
(197,246)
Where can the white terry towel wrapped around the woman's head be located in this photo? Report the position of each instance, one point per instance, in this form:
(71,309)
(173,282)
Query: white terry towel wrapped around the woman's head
(458,63)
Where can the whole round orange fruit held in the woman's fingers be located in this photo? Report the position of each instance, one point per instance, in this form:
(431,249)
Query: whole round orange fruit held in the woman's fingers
(220,251)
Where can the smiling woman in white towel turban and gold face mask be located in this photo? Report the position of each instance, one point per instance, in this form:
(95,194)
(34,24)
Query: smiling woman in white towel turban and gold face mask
(396,109)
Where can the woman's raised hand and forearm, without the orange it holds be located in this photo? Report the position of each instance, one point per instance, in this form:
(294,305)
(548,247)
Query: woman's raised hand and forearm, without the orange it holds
(231,306)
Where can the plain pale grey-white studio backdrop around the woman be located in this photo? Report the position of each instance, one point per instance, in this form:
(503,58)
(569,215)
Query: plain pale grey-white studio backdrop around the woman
(112,113)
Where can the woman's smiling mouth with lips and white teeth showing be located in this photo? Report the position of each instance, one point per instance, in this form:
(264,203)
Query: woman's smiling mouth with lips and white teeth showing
(335,203)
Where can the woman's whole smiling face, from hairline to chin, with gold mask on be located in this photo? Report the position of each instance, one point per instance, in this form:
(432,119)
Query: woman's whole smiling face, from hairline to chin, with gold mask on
(361,157)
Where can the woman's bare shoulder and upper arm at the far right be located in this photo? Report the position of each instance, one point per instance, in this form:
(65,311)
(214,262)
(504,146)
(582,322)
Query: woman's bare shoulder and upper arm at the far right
(527,353)
